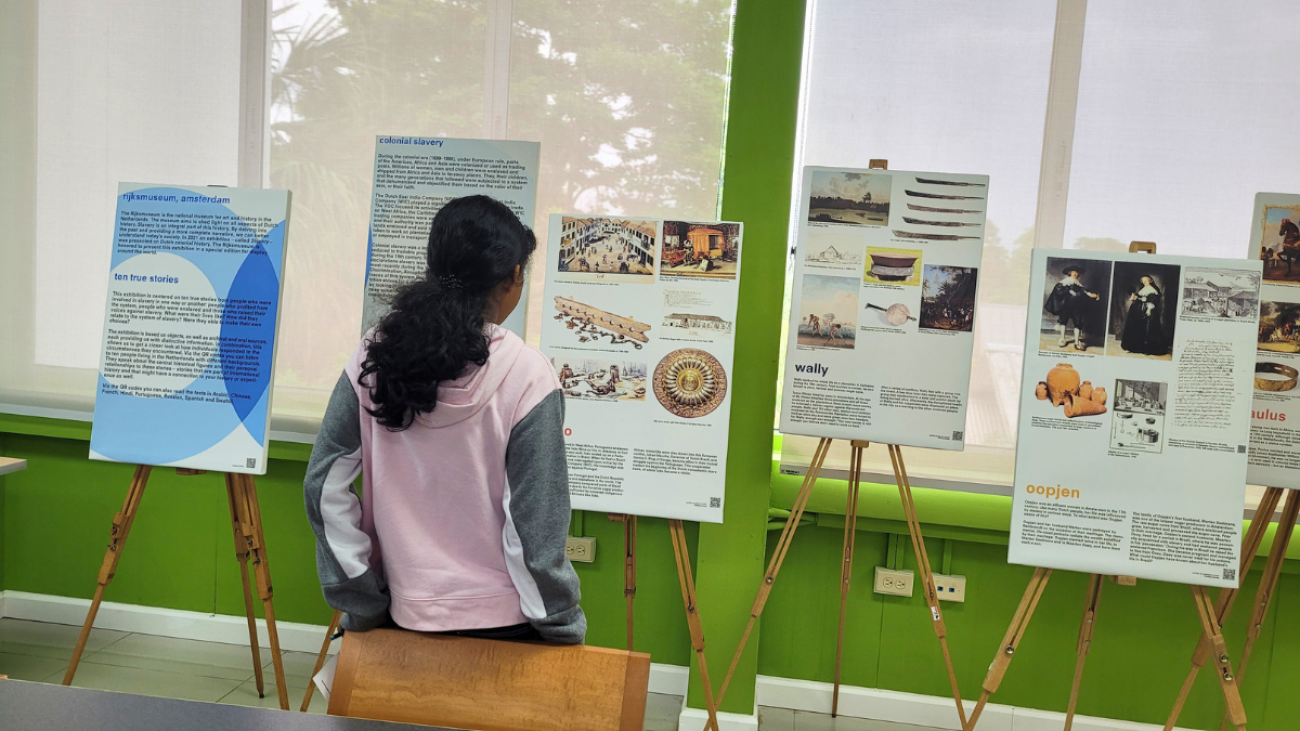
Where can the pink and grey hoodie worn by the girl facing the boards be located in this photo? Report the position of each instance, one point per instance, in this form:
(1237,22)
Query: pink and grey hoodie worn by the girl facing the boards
(463,517)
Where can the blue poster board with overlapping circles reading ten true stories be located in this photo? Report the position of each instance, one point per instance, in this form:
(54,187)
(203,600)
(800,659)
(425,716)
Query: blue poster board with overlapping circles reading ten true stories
(188,357)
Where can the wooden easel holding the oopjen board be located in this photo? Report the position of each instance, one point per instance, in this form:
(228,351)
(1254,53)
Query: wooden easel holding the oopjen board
(1210,615)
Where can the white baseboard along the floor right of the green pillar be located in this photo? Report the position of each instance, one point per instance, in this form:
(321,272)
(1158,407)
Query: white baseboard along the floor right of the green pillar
(916,710)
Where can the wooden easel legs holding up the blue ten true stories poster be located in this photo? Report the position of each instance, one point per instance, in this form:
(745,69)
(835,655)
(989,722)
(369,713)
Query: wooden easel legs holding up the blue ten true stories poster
(246,524)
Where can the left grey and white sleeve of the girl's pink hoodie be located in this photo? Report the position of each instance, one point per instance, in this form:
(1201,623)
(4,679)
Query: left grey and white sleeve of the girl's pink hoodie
(335,512)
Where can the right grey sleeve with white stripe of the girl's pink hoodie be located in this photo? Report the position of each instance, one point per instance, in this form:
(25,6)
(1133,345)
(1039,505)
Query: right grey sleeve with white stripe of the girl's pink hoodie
(538,524)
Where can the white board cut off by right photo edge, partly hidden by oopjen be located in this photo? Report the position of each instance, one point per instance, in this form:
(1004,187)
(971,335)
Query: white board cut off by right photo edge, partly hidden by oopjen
(1276,417)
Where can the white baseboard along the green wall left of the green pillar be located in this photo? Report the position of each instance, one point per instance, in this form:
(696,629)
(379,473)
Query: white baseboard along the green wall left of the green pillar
(670,680)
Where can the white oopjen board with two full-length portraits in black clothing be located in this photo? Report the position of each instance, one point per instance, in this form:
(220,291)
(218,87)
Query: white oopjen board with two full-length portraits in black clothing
(1132,452)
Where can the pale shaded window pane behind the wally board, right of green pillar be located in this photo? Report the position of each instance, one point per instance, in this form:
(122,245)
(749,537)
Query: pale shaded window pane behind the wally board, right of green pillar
(957,88)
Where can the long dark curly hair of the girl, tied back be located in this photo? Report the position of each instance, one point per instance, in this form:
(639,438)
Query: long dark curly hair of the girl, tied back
(439,326)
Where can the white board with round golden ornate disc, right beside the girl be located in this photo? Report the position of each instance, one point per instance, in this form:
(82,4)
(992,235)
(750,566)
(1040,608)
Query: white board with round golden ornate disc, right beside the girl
(640,328)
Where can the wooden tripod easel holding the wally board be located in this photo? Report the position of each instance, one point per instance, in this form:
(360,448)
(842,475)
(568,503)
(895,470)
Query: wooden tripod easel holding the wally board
(792,524)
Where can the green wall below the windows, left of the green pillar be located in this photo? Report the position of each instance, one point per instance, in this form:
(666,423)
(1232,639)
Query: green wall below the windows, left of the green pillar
(181,553)
